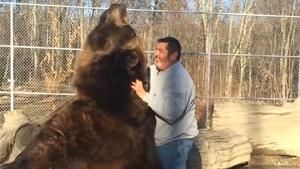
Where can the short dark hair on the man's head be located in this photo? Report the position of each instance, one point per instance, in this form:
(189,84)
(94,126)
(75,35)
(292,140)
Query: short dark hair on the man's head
(173,45)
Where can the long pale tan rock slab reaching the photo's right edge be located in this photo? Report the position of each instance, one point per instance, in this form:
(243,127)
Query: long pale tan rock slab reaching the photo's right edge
(271,130)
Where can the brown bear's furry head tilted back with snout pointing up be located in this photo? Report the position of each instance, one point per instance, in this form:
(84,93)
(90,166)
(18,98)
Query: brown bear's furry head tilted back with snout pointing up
(110,60)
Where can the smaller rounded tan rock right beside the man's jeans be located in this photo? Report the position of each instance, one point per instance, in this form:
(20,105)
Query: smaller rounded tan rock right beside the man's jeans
(219,149)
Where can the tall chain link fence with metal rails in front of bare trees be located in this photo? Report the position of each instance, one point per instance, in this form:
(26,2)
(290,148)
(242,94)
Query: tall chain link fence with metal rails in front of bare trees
(230,56)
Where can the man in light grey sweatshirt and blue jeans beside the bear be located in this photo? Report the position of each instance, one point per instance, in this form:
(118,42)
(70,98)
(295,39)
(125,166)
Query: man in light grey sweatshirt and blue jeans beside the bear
(172,97)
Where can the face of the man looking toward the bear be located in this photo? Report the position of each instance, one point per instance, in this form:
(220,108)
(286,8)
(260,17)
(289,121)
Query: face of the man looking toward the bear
(162,58)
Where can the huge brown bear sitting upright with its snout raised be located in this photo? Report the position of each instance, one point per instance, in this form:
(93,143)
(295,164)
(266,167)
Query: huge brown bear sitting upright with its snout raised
(106,126)
